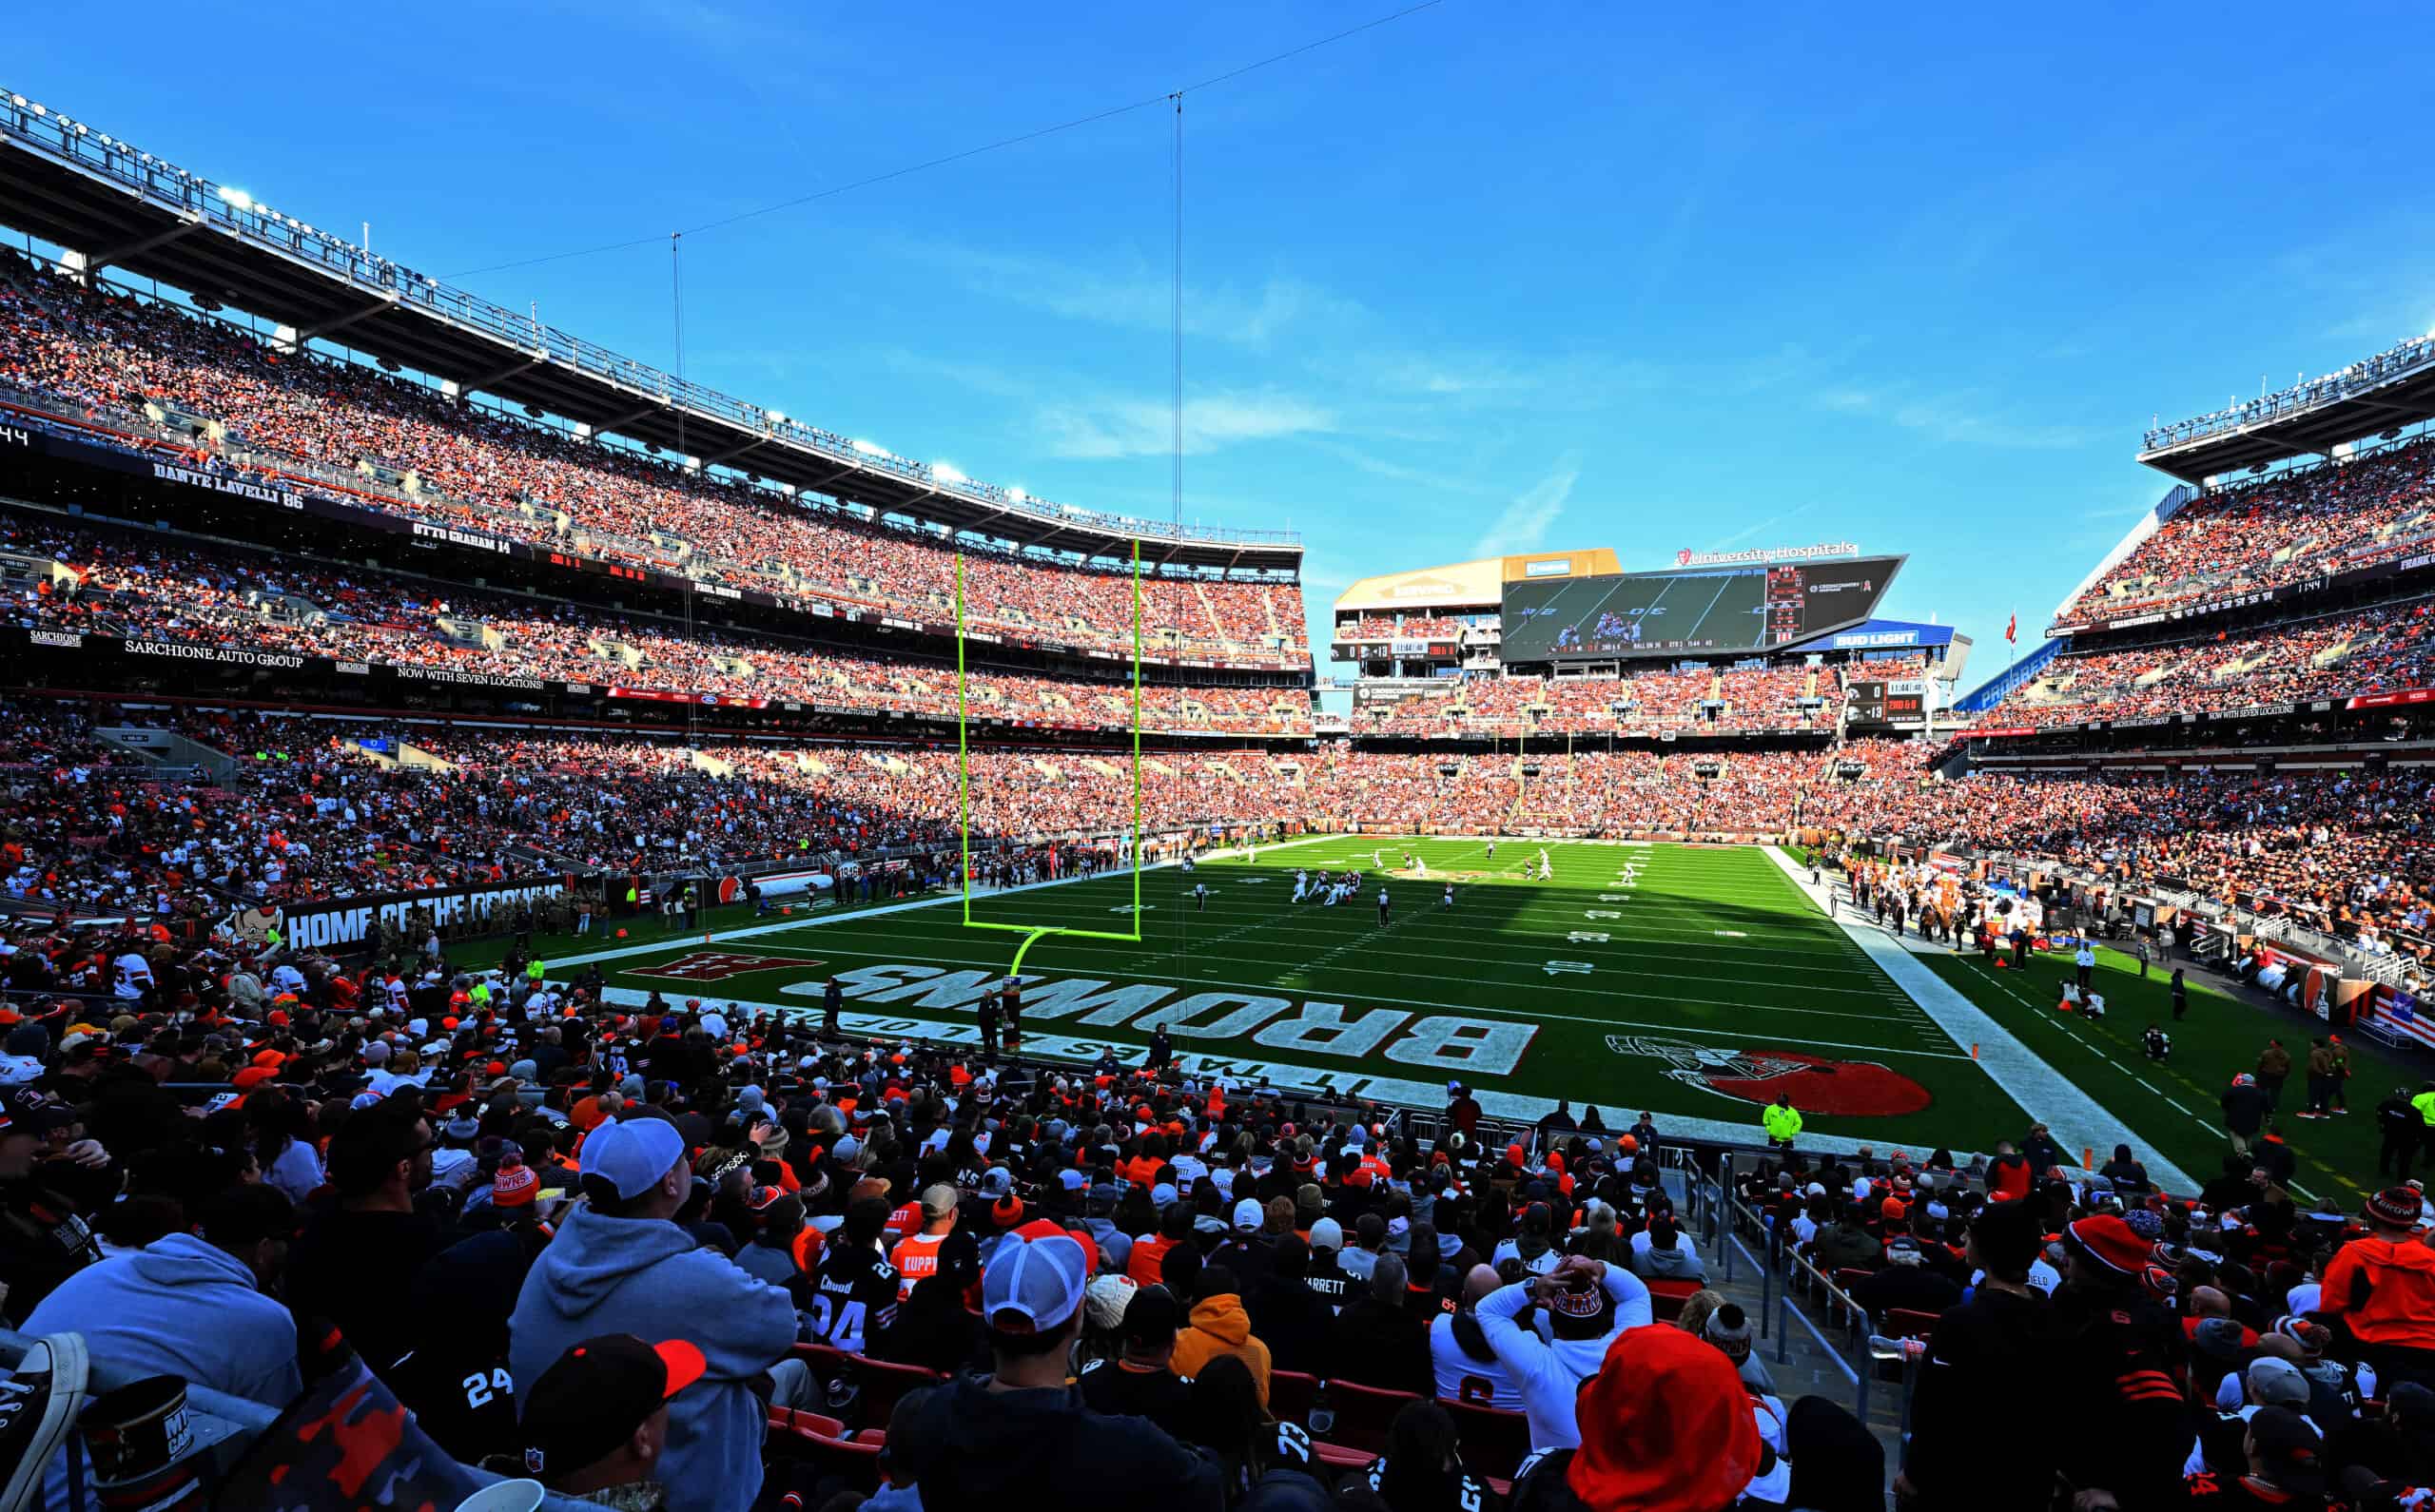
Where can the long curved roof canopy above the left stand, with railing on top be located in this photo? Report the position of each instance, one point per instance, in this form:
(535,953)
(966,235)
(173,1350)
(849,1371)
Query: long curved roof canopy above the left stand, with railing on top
(118,208)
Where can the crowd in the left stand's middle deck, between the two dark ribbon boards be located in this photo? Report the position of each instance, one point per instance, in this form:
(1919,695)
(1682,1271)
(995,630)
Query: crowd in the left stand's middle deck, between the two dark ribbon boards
(184,593)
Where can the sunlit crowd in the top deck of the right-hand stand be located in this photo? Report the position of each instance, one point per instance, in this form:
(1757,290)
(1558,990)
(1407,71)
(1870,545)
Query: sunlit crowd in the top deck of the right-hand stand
(2276,532)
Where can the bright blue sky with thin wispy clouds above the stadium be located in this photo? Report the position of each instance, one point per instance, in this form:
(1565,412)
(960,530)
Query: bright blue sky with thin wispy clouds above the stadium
(1487,279)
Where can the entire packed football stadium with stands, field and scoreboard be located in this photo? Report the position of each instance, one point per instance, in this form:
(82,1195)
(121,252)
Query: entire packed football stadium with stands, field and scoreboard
(573,939)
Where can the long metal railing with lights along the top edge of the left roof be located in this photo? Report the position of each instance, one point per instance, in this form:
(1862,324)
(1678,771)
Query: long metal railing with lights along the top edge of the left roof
(237,215)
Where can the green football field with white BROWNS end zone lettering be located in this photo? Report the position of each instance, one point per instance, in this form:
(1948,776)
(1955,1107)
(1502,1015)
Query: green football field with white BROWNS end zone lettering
(1691,982)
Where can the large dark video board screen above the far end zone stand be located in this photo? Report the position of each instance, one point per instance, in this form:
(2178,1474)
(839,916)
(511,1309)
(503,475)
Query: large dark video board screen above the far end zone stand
(1659,615)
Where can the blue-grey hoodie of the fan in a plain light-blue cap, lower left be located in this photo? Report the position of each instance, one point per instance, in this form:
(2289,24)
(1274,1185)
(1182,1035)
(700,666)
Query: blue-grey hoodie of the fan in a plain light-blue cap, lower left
(649,1279)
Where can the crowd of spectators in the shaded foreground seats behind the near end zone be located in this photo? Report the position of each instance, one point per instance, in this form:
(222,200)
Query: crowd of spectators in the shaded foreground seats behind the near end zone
(685,1258)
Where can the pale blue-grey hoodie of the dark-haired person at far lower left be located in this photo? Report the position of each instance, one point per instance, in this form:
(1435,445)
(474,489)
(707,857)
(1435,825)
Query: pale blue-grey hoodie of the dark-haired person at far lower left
(174,1309)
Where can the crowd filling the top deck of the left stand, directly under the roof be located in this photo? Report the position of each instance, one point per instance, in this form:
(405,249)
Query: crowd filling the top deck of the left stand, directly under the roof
(116,354)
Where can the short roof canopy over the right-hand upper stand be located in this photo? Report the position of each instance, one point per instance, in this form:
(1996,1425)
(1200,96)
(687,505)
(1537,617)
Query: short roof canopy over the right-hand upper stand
(2385,393)
